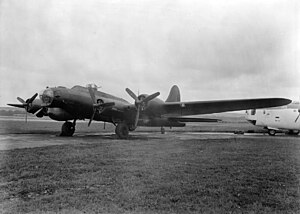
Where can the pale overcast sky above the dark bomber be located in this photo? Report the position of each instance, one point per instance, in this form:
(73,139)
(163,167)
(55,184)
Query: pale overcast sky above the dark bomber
(211,49)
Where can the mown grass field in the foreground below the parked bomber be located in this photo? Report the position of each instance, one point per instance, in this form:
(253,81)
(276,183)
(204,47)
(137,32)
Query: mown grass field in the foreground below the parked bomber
(154,175)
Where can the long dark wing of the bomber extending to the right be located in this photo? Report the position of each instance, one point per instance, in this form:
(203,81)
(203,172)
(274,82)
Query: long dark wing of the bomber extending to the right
(217,106)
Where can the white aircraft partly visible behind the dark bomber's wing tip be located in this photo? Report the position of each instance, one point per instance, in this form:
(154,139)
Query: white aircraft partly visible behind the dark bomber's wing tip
(286,118)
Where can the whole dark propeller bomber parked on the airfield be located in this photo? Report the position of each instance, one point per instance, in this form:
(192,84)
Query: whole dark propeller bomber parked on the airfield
(79,103)
